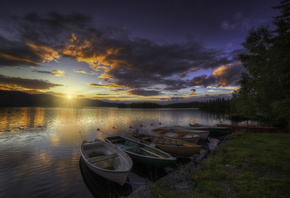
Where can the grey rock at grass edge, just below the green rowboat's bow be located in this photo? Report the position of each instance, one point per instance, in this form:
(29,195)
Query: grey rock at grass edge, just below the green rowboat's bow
(176,180)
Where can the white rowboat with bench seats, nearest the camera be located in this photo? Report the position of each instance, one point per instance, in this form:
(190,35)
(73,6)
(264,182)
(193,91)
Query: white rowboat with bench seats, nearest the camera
(106,160)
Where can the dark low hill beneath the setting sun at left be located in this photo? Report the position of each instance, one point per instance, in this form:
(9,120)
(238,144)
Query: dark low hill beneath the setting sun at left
(21,99)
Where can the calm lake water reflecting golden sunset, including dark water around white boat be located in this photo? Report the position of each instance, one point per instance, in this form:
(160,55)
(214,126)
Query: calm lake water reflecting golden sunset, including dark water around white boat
(39,147)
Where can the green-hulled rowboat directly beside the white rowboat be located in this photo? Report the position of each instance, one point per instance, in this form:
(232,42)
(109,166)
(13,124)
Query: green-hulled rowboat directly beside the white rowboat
(142,153)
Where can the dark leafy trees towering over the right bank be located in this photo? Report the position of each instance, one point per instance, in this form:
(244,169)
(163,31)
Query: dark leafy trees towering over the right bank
(265,88)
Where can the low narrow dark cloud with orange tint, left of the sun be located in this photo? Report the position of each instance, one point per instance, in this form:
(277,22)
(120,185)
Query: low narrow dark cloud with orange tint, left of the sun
(13,82)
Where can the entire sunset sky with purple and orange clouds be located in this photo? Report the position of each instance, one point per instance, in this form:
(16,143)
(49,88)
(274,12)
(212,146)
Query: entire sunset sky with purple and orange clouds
(120,50)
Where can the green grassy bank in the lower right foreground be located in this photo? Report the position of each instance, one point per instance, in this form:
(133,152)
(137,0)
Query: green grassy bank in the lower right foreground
(247,165)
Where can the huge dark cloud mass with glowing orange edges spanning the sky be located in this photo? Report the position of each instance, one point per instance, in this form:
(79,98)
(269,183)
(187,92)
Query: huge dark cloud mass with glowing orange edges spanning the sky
(120,62)
